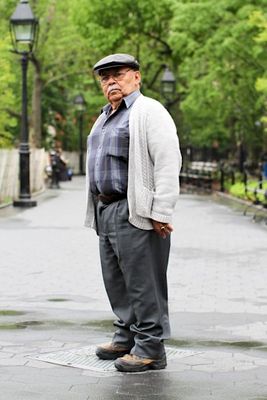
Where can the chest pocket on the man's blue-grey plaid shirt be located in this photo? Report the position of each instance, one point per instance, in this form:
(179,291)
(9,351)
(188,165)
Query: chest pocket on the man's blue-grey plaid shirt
(118,143)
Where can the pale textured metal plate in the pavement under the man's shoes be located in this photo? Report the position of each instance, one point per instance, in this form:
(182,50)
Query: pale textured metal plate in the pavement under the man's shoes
(85,358)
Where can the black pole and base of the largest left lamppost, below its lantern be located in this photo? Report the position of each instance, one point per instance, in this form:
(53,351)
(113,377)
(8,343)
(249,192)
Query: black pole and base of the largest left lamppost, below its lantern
(24,152)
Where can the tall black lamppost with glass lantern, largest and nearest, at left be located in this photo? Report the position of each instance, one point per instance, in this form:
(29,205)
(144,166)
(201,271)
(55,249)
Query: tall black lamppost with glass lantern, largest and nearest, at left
(24,29)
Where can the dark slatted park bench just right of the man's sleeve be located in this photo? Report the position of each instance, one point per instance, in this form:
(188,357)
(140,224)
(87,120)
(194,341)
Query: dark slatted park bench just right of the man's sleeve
(199,173)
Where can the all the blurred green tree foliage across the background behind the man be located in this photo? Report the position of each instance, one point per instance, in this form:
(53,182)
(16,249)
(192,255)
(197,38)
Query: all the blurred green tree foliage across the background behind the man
(217,51)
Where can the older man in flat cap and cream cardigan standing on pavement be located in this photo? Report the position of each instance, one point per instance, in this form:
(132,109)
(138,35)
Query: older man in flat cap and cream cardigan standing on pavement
(132,187)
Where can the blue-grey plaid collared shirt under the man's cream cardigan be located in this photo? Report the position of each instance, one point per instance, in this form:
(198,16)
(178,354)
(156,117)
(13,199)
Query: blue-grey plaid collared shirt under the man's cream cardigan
(109,149)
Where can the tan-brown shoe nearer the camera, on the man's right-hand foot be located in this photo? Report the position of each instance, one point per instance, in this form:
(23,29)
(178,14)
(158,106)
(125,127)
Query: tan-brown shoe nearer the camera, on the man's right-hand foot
(133,363)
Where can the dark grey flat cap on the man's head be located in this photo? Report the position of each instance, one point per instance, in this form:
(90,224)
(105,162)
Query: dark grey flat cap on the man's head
(116,60)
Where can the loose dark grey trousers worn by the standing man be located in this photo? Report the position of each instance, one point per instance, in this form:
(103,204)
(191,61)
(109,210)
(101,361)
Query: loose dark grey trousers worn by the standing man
(134,265)
